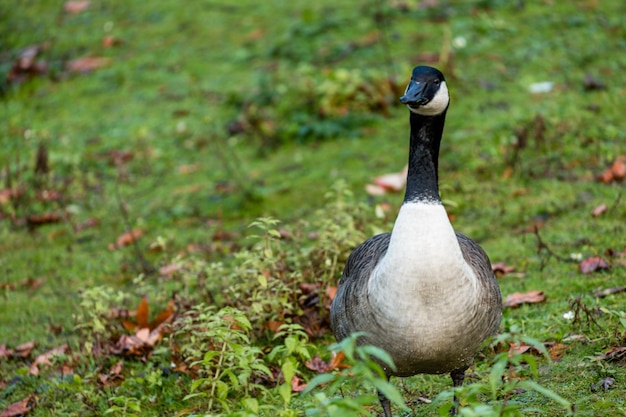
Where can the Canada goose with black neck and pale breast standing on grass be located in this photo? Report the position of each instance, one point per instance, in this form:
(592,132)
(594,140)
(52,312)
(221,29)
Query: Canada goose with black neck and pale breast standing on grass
(423,293)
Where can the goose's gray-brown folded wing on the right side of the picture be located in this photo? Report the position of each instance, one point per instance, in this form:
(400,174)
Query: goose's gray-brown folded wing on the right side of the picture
(490,298)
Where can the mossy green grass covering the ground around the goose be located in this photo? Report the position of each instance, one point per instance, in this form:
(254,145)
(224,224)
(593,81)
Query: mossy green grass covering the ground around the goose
(283,75)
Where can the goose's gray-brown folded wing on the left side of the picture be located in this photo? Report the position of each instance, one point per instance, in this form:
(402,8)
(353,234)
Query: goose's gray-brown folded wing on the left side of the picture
(350,301)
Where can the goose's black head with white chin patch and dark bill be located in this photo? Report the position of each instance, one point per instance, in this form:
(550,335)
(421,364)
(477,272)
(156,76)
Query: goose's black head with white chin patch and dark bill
(427,93)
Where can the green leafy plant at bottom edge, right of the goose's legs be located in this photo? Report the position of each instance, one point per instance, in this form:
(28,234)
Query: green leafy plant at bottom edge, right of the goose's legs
(508,377)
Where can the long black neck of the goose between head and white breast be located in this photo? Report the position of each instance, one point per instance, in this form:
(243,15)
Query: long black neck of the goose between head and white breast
(426,132)
